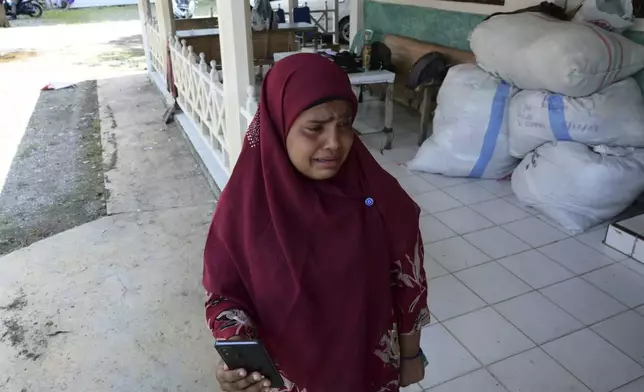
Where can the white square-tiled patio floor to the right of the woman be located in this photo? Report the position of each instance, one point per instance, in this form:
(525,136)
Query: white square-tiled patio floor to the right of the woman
(517,305)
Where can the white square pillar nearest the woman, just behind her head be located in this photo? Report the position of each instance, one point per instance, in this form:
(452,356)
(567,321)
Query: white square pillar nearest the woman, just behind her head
(237,68)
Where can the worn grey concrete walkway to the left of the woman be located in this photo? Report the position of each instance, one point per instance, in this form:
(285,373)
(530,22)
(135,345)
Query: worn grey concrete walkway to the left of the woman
(116,304)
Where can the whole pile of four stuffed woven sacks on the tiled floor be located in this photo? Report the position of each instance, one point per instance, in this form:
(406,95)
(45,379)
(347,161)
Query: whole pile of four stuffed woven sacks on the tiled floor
(558,95)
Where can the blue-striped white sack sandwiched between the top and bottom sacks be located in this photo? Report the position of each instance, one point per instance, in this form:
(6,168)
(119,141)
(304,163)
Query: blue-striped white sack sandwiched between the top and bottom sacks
(613,117)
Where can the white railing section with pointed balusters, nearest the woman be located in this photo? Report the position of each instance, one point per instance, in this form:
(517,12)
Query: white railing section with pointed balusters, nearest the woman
(200,95)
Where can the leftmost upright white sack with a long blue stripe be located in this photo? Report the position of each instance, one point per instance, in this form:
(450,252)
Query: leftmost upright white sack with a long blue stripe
(470,132)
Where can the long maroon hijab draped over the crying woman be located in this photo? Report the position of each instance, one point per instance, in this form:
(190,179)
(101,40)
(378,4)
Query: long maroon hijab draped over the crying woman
(309,261)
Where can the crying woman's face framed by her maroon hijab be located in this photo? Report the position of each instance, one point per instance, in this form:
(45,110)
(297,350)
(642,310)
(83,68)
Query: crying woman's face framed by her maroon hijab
(320,139)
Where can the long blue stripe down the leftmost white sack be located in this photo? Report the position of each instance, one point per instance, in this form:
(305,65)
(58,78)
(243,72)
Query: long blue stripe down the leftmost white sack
(497,113)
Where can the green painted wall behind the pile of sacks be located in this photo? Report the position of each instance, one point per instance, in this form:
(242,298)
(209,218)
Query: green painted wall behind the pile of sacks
(445,28)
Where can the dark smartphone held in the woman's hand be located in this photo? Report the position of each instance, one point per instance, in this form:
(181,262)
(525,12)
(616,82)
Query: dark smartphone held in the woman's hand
(251,356)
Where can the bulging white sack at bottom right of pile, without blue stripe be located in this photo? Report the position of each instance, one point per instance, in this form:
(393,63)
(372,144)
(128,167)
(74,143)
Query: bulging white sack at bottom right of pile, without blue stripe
(578,186)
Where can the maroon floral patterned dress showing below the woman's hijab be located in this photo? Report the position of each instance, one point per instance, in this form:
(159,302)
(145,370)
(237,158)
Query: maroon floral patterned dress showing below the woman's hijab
(409,316)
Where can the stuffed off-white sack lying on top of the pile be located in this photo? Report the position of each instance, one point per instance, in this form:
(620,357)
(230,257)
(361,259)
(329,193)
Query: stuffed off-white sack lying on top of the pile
(536,52)
